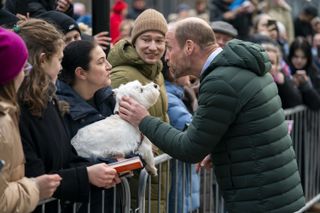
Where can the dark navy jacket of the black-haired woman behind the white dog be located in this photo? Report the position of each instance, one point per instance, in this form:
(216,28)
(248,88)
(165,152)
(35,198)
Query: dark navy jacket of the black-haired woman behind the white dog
(82,113)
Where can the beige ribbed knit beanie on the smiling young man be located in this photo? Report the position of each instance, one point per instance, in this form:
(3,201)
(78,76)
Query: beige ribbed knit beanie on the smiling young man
(148,20)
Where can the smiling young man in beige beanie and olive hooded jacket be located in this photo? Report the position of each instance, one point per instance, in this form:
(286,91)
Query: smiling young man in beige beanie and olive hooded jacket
(140,60)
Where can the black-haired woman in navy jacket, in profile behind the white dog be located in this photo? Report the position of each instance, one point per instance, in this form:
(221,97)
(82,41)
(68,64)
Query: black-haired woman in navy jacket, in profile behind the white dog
(85,84)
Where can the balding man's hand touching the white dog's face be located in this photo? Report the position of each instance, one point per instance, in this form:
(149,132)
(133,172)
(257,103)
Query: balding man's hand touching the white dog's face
(132,111)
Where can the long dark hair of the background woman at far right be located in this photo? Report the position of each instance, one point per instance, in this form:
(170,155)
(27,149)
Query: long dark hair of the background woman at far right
(300,43)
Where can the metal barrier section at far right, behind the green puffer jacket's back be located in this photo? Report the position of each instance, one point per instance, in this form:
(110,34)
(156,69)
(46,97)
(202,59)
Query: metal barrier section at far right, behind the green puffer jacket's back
(306,142)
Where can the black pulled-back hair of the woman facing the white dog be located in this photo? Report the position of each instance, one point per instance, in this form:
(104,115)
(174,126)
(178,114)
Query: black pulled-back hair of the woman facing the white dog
(76,54)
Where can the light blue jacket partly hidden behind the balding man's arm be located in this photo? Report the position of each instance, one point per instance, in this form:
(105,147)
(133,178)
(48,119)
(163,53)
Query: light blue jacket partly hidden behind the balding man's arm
(179,117)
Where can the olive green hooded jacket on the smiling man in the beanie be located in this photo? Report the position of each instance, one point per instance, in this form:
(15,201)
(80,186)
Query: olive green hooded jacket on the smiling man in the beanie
(128,66)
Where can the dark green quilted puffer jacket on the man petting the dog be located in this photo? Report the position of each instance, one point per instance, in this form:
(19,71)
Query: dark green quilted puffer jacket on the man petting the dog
(241,123)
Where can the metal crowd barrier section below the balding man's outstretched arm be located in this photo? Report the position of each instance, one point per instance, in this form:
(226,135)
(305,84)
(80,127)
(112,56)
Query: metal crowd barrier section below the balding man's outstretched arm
(210,198)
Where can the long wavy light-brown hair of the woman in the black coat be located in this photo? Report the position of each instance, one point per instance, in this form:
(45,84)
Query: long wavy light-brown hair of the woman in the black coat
(37,88)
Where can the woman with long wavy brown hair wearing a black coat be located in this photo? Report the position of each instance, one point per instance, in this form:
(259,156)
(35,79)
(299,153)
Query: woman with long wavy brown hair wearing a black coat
(45,139)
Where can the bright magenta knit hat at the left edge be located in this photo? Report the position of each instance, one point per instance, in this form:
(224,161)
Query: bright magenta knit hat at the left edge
(13,55)
